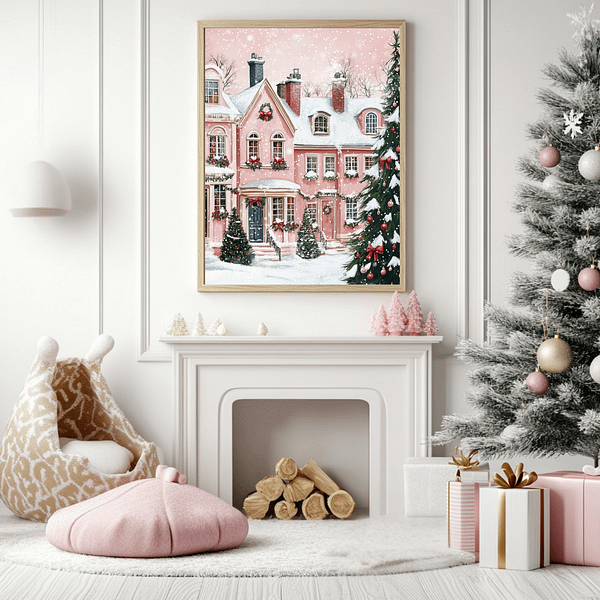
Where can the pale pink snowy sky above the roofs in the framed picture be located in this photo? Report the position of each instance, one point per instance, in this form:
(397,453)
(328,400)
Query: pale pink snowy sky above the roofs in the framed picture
(313,51)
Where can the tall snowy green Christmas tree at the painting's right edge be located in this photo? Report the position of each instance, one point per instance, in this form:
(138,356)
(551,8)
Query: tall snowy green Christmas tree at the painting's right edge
(376,247)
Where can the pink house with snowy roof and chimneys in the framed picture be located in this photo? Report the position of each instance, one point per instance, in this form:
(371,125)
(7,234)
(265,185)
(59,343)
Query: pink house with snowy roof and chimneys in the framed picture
(270,151)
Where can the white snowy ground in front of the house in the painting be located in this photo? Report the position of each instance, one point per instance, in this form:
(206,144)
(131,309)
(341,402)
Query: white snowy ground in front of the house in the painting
(327,269)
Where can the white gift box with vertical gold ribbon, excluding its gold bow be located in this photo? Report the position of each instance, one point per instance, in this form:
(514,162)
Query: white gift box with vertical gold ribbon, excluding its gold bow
(514,528)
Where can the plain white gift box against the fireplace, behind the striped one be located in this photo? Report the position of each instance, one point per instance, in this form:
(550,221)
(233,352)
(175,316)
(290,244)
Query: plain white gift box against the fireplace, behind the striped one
(426,481)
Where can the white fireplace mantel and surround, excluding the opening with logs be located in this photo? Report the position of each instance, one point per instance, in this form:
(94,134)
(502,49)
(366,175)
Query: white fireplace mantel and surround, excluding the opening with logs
(392,374)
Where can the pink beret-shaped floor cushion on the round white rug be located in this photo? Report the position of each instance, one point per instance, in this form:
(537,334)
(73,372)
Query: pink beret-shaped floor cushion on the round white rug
(148,518)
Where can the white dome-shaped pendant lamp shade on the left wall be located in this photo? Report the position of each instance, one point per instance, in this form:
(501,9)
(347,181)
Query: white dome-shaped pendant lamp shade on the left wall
(44,192)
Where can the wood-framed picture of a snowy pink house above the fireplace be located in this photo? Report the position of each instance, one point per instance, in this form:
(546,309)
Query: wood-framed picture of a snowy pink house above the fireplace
(301,156)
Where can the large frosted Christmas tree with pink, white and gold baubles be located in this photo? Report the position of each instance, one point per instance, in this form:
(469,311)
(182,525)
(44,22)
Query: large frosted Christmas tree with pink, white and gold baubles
(534,393)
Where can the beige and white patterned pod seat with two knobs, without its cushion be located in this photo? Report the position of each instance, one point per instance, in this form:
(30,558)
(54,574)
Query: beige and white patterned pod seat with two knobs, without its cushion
(66,398)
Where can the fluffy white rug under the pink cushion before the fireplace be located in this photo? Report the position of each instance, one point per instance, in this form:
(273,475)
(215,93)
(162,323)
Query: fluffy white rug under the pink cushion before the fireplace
(273,548)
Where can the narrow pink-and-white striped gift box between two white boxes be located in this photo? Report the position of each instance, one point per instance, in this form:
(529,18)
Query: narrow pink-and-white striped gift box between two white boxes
(463,516)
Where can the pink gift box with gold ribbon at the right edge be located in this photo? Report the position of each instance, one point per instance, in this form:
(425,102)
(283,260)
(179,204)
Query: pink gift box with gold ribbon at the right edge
(574,517)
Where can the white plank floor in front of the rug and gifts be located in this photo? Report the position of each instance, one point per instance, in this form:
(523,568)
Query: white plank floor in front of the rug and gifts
(460,583)
